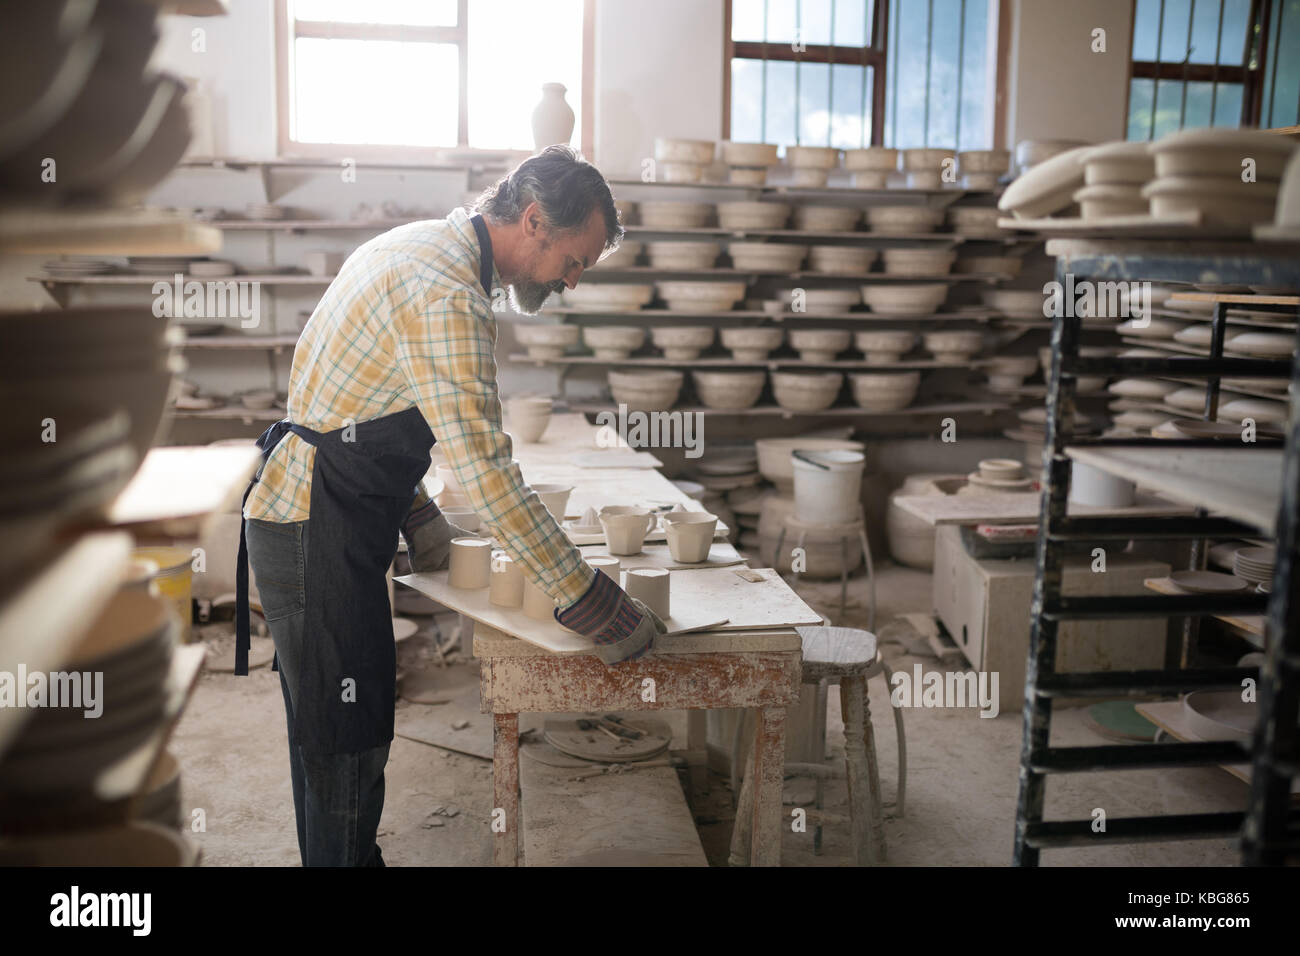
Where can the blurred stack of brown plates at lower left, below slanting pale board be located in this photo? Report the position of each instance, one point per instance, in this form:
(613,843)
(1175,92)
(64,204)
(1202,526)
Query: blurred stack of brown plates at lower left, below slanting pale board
(60,750)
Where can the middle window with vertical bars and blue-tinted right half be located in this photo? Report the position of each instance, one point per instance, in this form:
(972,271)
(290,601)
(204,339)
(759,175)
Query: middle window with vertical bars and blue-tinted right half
(851,73)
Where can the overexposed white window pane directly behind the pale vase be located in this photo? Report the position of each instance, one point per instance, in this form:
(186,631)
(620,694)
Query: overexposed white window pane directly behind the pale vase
(502,101)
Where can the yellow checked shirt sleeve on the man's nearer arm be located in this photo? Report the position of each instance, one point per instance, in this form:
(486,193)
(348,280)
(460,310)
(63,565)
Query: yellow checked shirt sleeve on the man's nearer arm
(445,353)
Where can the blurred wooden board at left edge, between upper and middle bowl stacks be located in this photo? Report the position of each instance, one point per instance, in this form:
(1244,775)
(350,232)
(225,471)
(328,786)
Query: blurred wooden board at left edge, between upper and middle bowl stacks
(103,232)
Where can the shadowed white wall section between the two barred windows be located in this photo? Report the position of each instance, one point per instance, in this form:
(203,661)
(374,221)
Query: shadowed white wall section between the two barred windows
(1059,89)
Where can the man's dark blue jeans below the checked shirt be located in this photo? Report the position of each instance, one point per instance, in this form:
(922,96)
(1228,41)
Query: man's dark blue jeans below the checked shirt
(339,798)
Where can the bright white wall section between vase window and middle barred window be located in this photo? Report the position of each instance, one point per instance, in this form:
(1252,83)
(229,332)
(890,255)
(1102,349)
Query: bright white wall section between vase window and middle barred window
(658,73)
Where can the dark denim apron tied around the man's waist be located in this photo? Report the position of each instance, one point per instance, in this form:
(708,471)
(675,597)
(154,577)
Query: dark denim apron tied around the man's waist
(365,481)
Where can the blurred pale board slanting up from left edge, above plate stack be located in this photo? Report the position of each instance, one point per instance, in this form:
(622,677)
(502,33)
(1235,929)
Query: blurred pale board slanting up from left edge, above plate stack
(42,624)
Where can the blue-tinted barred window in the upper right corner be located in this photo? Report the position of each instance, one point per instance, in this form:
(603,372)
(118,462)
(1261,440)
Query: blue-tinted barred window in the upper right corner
(1214,63)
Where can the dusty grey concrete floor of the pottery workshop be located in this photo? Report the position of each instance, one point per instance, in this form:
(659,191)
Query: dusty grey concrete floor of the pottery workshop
(960,803)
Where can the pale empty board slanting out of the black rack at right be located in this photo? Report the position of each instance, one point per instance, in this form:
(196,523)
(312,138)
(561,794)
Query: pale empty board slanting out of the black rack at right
(1240,483)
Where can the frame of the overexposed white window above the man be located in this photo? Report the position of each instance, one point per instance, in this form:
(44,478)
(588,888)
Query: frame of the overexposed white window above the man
(288,31)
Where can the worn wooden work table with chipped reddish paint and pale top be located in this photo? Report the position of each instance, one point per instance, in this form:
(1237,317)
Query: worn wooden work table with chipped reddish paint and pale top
(696,672)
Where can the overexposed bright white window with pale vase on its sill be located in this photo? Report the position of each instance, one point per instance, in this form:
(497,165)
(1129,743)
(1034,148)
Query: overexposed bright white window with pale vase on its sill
(388,77)
